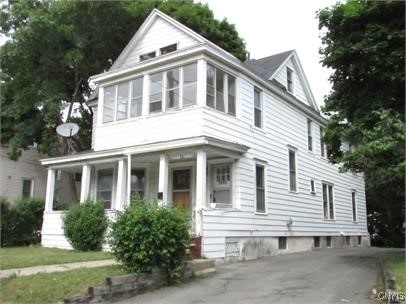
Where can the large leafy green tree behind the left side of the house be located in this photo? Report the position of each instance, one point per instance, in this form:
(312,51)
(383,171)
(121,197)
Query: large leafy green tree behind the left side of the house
(55,46)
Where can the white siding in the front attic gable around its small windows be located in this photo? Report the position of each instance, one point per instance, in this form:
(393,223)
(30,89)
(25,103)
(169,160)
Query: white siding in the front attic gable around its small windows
(160,34)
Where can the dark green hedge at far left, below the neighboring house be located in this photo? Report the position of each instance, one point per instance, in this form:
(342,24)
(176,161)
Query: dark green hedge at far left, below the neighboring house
(21,222)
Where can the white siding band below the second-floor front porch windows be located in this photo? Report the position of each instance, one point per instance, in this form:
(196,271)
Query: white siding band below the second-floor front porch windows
(155,128)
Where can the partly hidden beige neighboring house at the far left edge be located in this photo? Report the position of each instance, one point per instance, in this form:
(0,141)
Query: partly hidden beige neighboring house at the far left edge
(22,178)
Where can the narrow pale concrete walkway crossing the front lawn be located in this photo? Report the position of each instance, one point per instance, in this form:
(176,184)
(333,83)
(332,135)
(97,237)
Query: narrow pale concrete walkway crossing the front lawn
(54,268)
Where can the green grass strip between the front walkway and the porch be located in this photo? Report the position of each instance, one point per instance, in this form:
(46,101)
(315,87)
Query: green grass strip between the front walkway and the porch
(18,257)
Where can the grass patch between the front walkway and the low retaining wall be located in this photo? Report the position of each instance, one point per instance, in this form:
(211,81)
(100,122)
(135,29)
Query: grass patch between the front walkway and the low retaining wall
(53,287)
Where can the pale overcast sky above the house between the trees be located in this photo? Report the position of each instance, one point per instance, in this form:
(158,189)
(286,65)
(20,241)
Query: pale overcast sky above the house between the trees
(273,26)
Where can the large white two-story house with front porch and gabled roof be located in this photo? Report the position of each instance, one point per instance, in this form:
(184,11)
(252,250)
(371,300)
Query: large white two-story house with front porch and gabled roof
(178,119)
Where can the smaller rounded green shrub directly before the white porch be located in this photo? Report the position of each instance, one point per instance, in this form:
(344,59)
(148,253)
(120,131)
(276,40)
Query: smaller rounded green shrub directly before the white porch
(85,225)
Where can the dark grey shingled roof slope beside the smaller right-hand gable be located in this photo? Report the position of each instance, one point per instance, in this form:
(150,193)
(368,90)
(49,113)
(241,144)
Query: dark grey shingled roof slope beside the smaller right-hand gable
(267,66)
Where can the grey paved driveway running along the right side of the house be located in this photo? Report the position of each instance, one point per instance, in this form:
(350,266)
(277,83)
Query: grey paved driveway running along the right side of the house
(323,276)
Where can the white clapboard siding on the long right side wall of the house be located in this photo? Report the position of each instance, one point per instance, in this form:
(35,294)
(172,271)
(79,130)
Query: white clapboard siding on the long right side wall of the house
(283,125)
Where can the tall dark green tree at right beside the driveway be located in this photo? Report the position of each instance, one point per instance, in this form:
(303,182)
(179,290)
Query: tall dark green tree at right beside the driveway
(364,42)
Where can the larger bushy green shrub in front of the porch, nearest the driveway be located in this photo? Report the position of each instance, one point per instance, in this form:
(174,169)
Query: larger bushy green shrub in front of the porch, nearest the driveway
(146,236)
